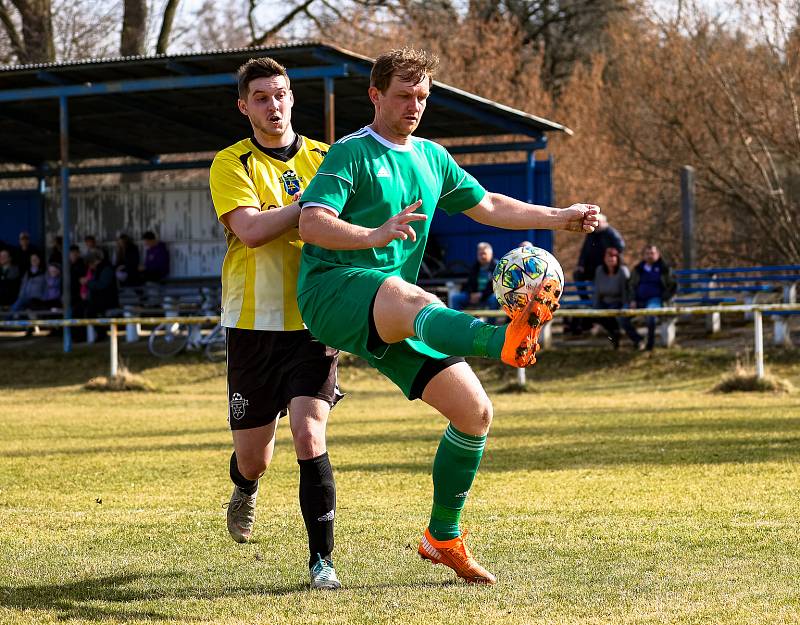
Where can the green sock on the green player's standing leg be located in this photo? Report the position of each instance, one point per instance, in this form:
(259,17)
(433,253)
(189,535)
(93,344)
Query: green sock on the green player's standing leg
(454,469)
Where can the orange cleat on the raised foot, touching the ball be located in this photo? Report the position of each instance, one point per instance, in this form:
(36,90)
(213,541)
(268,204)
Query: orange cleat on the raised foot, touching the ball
(522,334)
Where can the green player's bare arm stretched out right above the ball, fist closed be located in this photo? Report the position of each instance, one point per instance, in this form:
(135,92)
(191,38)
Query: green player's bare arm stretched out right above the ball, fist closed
(502,211)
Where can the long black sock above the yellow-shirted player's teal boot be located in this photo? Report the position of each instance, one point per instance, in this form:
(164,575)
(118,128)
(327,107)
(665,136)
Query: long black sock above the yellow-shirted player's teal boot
(318,505)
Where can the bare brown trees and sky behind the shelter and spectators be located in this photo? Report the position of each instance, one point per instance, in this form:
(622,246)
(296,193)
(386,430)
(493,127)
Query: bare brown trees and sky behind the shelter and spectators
(646,86)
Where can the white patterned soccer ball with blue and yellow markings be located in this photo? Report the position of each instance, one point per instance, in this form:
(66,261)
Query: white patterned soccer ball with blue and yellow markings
(520,272)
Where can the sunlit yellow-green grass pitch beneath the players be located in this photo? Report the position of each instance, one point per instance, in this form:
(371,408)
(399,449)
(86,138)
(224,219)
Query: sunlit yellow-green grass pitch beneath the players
(619,490)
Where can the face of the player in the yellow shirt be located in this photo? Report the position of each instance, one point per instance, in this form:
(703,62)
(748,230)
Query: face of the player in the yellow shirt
(269,109)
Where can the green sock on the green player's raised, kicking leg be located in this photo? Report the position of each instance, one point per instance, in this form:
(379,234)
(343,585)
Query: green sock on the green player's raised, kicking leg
(458,334)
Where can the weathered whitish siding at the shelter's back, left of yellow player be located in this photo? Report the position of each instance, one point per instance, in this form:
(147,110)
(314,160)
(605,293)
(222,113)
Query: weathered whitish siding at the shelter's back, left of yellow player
(182,217)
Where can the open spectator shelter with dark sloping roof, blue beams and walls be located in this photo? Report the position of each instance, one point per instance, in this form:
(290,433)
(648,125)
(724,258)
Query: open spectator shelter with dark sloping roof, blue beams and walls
(149,113)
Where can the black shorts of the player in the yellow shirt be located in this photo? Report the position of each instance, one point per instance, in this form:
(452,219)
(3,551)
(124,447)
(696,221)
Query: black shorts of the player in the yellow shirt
(267,369)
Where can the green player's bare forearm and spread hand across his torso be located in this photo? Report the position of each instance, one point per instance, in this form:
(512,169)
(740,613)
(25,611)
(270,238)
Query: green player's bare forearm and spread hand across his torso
(321,227)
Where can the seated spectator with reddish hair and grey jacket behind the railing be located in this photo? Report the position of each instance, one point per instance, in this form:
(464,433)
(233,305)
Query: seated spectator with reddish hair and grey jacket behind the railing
(611,292)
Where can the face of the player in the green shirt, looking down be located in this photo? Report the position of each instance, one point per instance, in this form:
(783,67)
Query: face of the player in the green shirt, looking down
(399,110)
